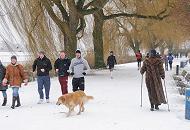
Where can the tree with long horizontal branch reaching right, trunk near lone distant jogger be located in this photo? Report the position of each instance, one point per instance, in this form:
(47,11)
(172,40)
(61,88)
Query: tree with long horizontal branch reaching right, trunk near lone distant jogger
(101,16)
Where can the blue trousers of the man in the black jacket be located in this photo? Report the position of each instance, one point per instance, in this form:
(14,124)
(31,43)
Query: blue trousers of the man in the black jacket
(43,82)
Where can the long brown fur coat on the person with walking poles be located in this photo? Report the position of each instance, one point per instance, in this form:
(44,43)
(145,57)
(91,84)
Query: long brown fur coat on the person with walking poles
(154,72)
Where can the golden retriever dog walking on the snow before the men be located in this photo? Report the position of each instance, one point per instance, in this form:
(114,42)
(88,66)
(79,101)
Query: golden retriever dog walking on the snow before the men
(71,100)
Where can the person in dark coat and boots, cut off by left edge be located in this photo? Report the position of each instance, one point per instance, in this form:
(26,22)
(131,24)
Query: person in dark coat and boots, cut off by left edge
(3,88)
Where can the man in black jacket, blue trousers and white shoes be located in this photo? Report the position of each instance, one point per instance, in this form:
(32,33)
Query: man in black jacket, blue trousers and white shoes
(43,65)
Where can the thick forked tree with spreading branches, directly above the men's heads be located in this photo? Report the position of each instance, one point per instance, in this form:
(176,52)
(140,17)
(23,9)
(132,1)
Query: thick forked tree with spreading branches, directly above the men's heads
(71,20)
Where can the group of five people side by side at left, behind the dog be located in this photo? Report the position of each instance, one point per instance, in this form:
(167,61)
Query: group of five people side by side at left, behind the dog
(14,75)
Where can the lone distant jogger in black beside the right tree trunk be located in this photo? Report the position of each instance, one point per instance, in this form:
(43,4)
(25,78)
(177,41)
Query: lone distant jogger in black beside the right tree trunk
(111,61)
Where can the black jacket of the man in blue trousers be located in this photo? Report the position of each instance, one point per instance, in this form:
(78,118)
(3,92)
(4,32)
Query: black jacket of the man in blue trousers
(43,63)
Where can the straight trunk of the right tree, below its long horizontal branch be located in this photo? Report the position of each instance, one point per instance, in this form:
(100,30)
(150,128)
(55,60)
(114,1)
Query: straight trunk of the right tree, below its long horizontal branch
(98,39)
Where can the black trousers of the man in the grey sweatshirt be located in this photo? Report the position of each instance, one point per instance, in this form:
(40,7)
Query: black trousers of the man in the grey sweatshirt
(78,84)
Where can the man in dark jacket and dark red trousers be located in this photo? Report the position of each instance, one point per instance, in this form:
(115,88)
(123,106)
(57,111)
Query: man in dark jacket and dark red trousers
(61,67)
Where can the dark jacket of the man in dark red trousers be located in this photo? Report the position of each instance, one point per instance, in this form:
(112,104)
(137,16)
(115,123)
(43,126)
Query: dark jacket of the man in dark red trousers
(63,66)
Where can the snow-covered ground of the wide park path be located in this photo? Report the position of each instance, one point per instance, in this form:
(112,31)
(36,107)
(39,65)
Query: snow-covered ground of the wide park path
(116,106)
